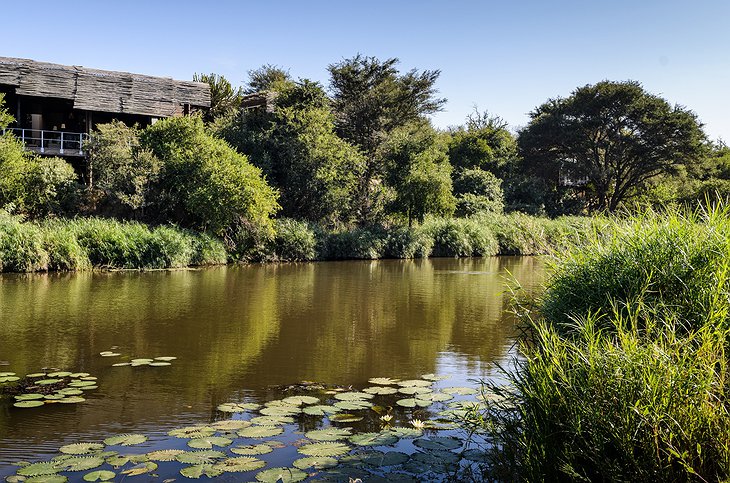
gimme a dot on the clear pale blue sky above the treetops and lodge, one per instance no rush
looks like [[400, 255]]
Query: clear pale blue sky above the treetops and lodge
[[504, 56]]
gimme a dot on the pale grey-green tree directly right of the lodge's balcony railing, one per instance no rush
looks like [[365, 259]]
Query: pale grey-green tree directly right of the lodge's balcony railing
[[124, 174]]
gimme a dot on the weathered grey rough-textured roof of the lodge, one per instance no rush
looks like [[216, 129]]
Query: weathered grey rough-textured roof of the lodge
[[103, 90]]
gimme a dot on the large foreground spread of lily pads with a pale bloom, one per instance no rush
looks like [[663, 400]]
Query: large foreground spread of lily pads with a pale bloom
[[390, 431]]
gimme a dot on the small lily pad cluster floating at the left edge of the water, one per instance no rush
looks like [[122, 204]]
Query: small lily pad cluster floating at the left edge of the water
[[41, 388]]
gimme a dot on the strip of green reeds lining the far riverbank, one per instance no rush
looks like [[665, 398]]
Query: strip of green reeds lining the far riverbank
[[100, 243]]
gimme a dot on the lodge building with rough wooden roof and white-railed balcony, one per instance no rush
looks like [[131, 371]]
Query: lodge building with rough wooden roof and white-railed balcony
[[56, 106]]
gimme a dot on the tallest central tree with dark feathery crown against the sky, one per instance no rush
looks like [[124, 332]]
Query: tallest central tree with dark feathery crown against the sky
[[371, 99]]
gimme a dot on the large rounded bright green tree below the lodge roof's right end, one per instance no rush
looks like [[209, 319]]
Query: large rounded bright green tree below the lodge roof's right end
[[205, 183]]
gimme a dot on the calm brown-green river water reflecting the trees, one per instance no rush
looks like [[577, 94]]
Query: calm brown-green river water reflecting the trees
[[239, 330]]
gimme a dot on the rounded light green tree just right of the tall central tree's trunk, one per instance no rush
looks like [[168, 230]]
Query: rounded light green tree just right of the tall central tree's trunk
[[419, 173]]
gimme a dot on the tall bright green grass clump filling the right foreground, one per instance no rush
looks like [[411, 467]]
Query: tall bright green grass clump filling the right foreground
[[624, 375]]
